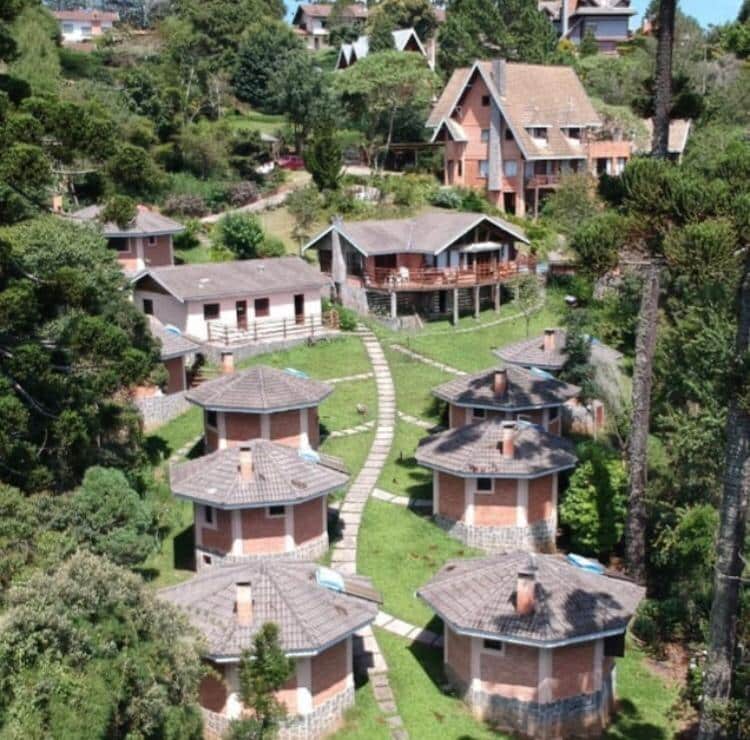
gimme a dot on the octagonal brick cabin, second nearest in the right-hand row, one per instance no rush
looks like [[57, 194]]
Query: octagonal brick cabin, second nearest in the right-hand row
[[495, 483]]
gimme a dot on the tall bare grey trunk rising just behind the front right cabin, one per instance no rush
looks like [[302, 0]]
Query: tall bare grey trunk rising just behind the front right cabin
[[645, 344]]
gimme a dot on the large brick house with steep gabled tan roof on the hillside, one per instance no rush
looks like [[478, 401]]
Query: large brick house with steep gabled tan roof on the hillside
[[513, 131]]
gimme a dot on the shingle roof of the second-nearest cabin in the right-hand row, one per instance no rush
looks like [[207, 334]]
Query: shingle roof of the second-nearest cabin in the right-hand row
[[475, 450]]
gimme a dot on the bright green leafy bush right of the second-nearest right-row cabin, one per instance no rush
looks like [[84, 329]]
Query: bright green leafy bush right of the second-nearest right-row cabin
[[594, 504]]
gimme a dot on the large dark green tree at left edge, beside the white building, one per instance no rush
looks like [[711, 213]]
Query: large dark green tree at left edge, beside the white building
[[71, 341]]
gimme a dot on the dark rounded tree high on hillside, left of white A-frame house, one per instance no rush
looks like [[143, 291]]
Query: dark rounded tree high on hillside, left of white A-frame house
[[258, 56]]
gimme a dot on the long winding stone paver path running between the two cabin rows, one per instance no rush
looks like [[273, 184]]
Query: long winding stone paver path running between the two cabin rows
[[367, 655]]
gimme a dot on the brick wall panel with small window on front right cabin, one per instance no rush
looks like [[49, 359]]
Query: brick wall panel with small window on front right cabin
[[513, 674]]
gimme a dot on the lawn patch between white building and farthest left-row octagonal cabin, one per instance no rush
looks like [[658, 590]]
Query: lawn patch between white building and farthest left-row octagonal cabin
[[329, 358]]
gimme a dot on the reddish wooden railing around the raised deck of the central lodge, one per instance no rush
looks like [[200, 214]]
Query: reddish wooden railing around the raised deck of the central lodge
[[445, 277]]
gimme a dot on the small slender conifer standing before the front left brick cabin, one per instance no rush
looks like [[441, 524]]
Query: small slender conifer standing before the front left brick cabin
[[263, 671]]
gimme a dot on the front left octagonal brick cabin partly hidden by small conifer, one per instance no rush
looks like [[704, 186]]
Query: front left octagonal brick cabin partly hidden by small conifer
[[228, 606]]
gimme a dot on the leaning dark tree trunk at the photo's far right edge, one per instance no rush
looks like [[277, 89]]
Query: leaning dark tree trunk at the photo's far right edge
[[717, 683]]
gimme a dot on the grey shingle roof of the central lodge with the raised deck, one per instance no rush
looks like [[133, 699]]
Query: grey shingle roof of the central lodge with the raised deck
[[427, 233]]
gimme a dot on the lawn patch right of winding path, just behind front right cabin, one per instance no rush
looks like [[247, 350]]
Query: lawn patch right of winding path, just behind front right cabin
[[401, 551]]
